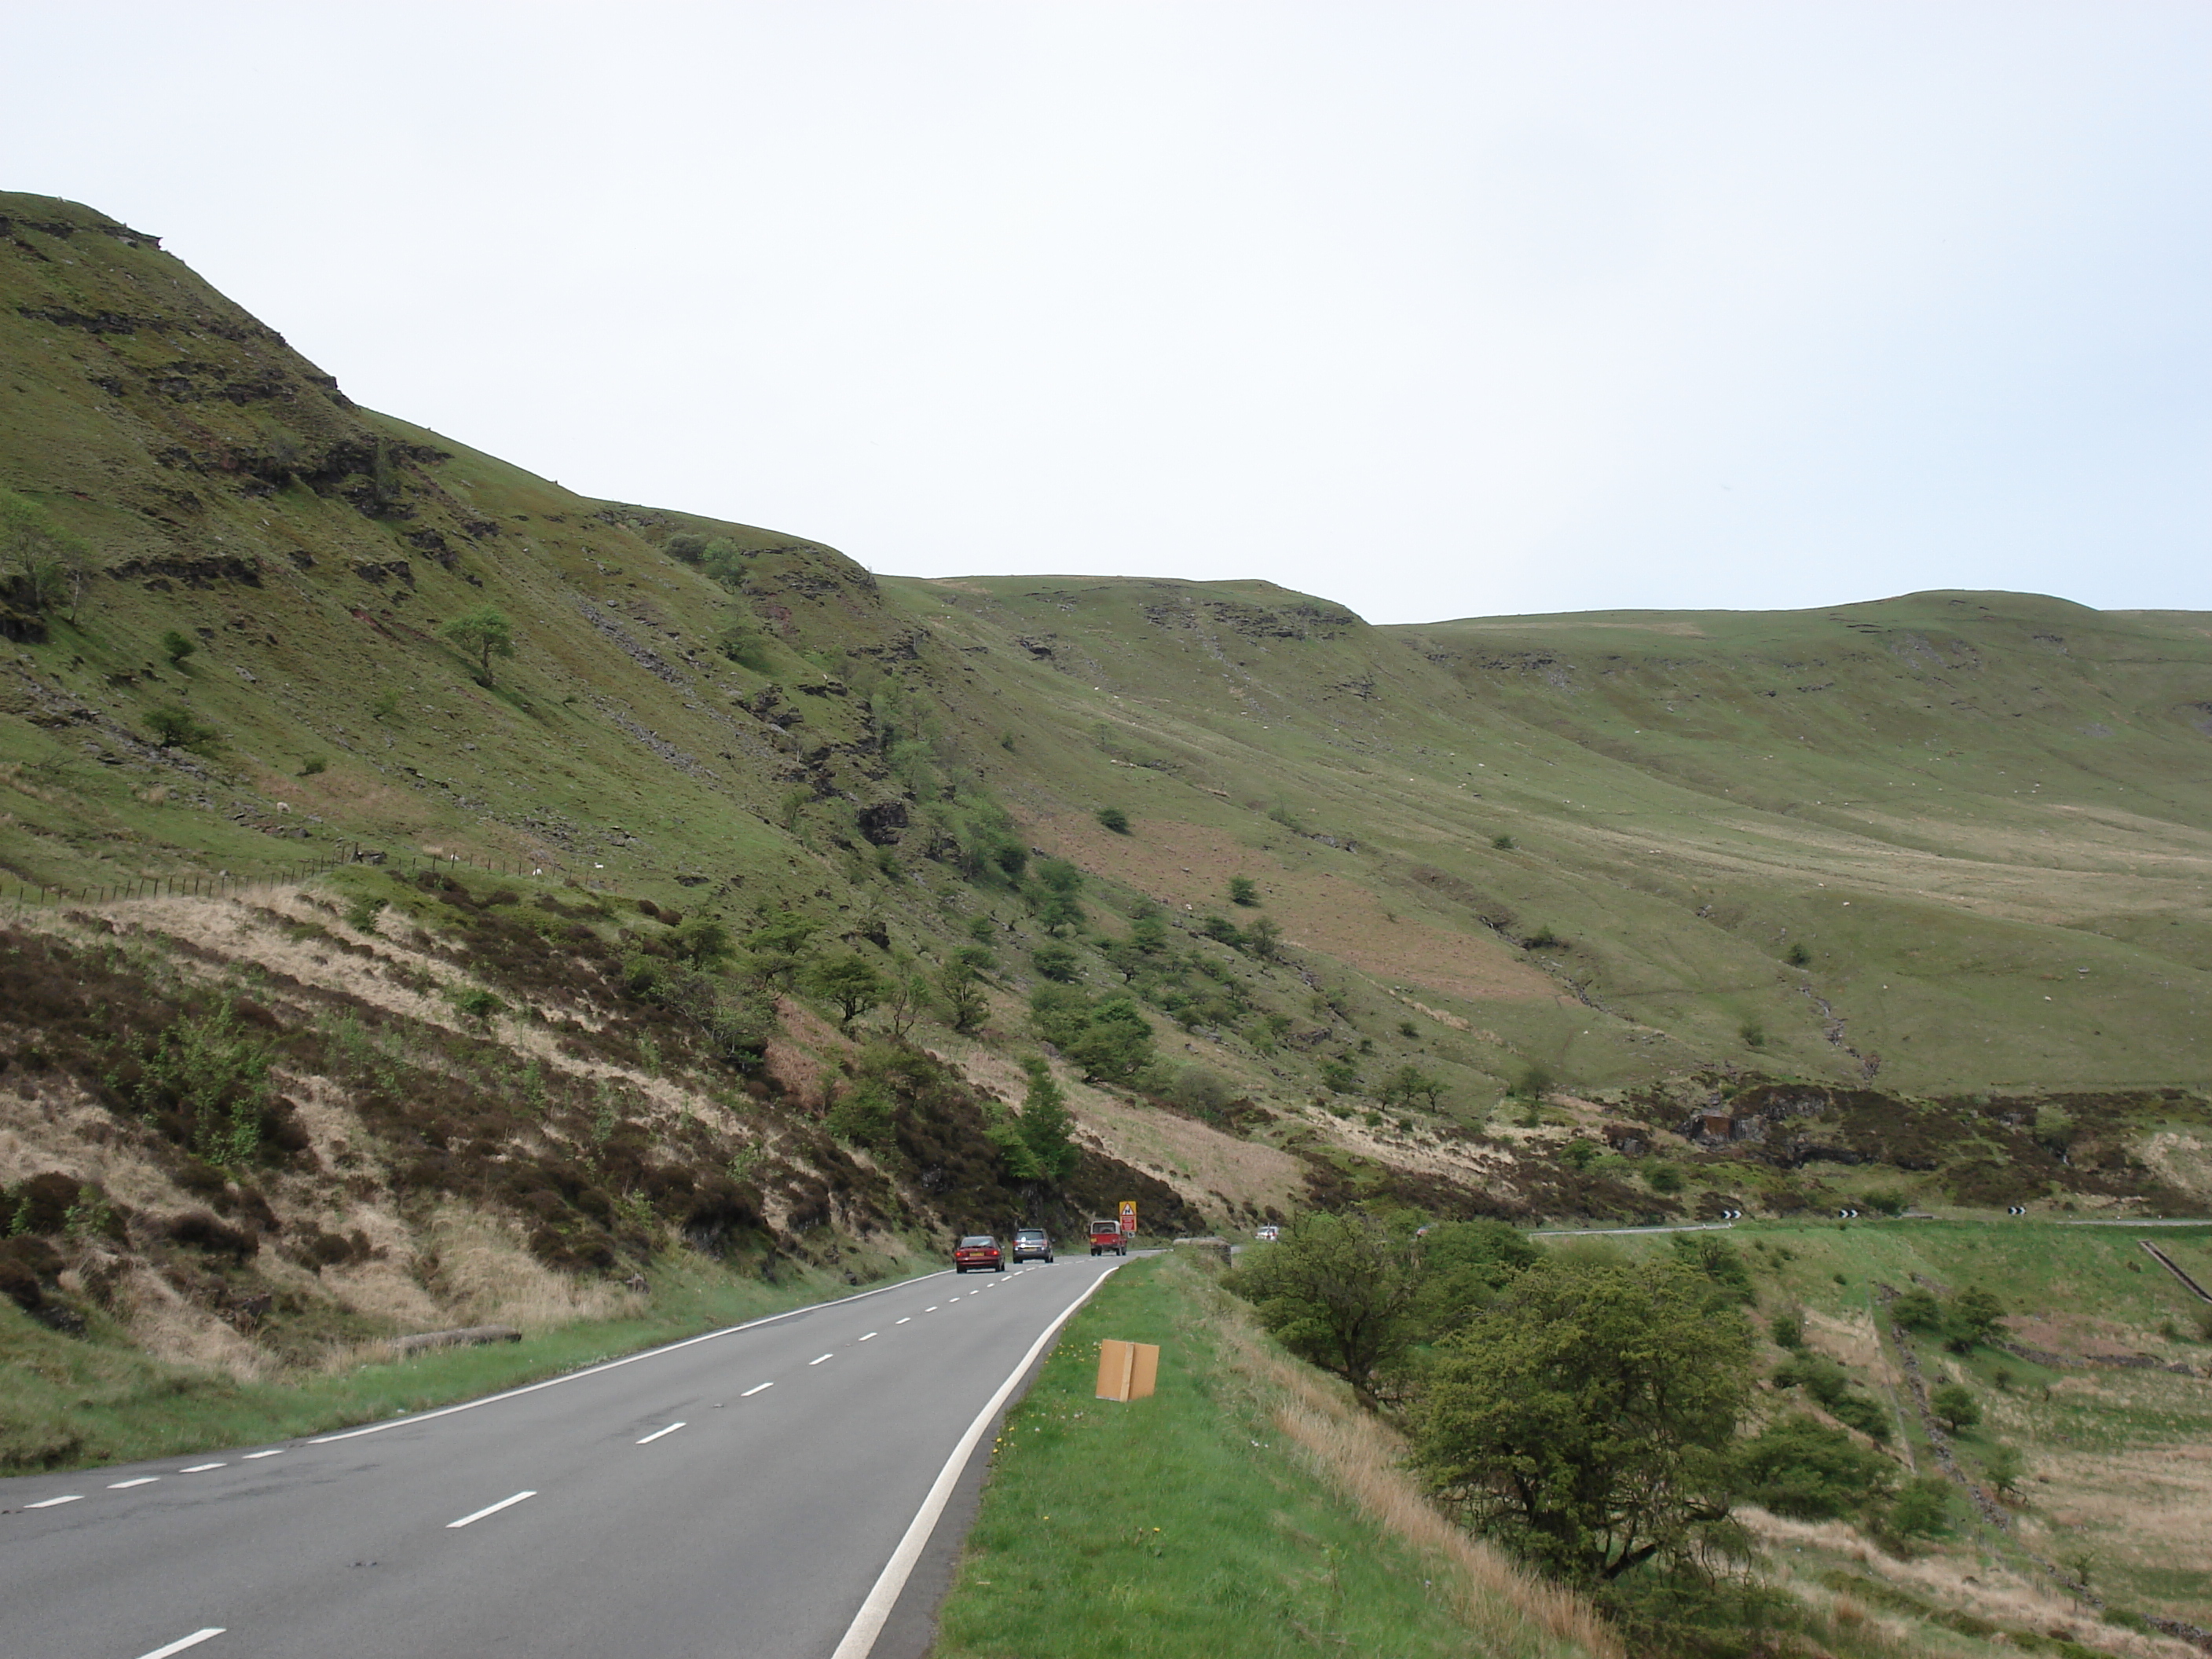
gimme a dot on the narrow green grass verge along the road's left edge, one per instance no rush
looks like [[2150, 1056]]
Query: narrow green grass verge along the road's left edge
[[79, 1404]]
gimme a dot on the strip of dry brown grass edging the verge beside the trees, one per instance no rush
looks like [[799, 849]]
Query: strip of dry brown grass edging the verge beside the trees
[[1366, 1461]]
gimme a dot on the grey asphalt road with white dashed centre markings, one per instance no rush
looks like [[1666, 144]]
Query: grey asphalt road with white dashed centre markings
[[733, 1496]]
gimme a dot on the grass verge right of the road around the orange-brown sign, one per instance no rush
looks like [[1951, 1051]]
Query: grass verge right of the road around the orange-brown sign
[[1246, 1507]]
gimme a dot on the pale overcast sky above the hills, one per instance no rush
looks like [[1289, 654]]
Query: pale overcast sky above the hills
[[1430, 309]]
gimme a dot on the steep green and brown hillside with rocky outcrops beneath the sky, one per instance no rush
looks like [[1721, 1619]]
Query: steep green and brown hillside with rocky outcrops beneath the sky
[[1286, 901]]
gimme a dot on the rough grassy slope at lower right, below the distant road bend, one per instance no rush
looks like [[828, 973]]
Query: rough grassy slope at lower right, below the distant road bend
[[2116, 1490]]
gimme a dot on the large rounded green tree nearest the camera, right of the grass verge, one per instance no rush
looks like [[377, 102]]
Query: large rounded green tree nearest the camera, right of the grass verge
[[1587, 1419]]
